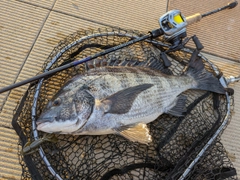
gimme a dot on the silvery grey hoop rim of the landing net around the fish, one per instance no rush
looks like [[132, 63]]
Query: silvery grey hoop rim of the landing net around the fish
[[114, 33]]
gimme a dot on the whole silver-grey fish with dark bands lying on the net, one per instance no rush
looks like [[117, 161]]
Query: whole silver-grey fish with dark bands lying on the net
[[122, 100]]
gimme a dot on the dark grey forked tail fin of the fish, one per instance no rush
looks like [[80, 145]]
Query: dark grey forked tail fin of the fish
[[204, 79]]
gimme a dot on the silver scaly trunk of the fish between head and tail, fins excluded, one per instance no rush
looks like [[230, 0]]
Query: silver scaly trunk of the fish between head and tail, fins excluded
[[146, 107]]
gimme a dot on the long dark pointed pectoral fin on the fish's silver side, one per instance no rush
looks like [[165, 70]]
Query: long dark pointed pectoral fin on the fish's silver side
[[122, 101]]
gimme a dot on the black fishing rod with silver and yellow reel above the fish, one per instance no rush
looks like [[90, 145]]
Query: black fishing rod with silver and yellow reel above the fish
[[172, 26]]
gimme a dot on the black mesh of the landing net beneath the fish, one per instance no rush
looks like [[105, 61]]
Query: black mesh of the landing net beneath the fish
[[177, 142]]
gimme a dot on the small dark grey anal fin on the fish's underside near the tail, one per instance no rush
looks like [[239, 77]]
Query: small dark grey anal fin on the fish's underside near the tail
[[178, 107]]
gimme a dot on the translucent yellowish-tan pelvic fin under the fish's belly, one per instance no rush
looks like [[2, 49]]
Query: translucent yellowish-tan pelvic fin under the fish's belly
[[137, 132]]
